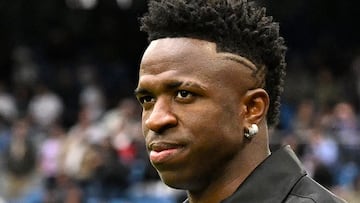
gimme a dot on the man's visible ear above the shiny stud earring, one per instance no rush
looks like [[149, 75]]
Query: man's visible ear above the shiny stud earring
[[256, 103]]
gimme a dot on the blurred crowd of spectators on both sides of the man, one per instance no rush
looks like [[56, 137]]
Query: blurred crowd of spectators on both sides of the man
[[66, 143]]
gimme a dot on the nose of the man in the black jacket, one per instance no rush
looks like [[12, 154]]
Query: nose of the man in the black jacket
[[161, 117]]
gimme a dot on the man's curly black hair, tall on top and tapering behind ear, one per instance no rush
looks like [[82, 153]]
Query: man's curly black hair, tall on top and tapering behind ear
[[236, 26]]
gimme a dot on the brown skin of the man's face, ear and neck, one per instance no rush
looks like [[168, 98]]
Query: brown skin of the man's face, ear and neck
[[197, 103]]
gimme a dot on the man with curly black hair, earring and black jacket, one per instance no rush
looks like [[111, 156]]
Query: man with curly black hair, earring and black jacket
[[210, 84]]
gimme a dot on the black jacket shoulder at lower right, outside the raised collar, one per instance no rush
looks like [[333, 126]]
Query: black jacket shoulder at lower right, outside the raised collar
[[307, 190]]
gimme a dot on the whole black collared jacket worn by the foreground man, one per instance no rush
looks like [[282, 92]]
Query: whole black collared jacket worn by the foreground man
[[281, 179]]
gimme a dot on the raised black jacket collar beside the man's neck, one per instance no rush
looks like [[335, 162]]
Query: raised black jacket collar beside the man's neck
[[272, 180]]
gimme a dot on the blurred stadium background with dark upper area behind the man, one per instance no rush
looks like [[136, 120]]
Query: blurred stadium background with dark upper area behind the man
[[70, 126]]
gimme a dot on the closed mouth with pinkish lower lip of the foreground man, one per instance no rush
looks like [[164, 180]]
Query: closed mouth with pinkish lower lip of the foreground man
[[160, 152]]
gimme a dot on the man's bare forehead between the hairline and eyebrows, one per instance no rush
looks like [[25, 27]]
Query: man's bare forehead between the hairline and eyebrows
[[193, 58]]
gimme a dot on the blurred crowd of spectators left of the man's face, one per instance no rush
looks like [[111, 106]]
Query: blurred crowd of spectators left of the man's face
[[68, 144]]
